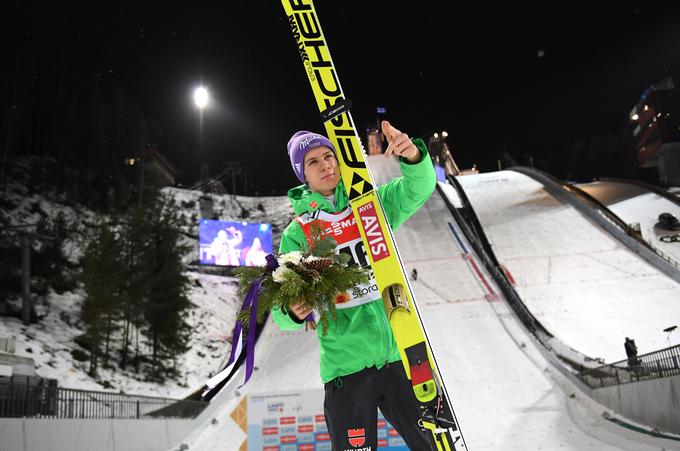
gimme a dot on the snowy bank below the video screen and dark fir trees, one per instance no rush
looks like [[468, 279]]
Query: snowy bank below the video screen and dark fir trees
[[50, 342]]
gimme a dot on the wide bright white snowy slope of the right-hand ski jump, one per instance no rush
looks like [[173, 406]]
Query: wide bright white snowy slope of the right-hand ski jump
[[585, 287]]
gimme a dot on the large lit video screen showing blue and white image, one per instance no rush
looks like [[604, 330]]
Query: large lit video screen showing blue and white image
[[226, 243]]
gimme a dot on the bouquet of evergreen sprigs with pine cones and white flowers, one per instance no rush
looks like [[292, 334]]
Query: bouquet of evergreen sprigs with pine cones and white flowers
[[315, 277]]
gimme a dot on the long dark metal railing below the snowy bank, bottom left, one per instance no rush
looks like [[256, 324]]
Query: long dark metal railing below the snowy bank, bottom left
[[37, 397]]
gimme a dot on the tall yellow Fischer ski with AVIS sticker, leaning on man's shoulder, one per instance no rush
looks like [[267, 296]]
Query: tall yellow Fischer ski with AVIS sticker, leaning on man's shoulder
[[437, 415]]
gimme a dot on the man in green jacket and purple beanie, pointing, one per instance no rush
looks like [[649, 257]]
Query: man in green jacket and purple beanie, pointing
[[359, 360]]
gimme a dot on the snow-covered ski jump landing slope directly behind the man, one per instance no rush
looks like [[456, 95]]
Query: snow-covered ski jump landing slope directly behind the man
[[504, 391]]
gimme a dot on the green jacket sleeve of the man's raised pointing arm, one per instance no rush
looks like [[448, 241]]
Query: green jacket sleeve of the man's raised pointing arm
[[403, 196]]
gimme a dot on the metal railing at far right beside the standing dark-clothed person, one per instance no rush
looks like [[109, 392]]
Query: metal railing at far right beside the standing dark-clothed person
[[654, 365]]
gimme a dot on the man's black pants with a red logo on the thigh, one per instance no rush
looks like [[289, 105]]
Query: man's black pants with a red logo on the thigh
[[352, 402]]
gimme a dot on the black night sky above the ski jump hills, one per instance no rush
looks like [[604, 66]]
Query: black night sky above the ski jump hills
[[522, 80]]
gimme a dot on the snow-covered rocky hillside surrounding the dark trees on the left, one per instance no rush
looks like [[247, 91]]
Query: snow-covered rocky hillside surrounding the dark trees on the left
[[215, 304]]
